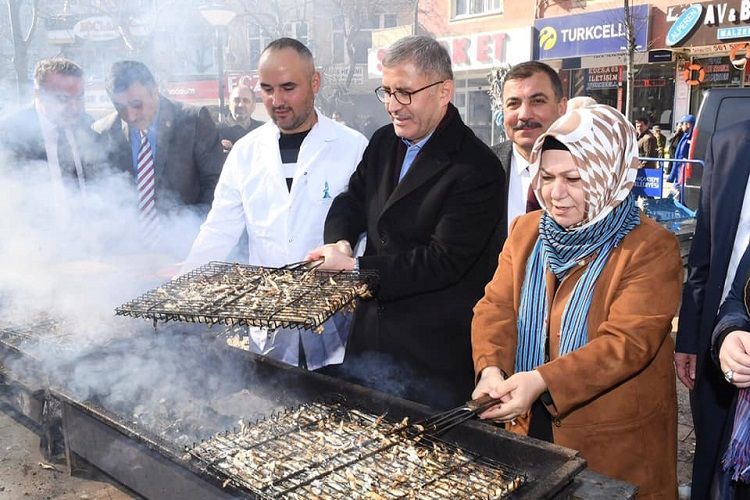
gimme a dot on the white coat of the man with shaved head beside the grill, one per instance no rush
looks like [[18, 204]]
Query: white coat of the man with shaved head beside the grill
[[282, 226]]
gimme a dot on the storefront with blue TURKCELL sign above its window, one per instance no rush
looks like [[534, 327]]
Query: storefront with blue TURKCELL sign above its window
[[590, 52]]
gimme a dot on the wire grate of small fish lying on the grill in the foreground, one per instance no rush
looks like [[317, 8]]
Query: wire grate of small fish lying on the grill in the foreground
[[332, 451]]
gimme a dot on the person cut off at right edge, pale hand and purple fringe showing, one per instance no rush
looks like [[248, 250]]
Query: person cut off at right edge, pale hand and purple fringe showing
[[731, 350]]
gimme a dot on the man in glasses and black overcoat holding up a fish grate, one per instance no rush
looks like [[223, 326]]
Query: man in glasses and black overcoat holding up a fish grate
[[429, 196]]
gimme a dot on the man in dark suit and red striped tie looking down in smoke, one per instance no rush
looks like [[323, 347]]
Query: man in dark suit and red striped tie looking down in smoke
[[181, 141]]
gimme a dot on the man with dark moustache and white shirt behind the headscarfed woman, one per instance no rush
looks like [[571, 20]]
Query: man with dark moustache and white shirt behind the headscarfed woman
[[532, 99]]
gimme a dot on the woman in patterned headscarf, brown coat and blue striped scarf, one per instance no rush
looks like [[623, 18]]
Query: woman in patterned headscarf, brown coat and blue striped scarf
[[573, 333]]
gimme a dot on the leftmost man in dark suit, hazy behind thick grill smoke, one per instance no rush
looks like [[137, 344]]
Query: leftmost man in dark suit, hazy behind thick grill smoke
[[52, 136]]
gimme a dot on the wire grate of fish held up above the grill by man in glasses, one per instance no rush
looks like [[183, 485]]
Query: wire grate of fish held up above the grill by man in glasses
[[236, 294]]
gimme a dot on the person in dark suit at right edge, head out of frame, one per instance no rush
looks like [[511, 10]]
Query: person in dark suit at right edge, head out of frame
[[721, 237]]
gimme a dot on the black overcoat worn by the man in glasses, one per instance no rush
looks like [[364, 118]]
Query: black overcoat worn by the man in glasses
[[434, 240]]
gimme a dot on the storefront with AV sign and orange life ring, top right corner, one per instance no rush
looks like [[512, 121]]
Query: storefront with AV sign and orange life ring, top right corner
[[710, 41]]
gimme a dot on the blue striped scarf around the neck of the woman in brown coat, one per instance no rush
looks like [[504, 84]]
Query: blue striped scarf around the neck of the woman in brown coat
[[561, 250]]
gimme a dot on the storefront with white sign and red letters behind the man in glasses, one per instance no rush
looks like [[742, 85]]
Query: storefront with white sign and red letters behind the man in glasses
[[473, 56]]
